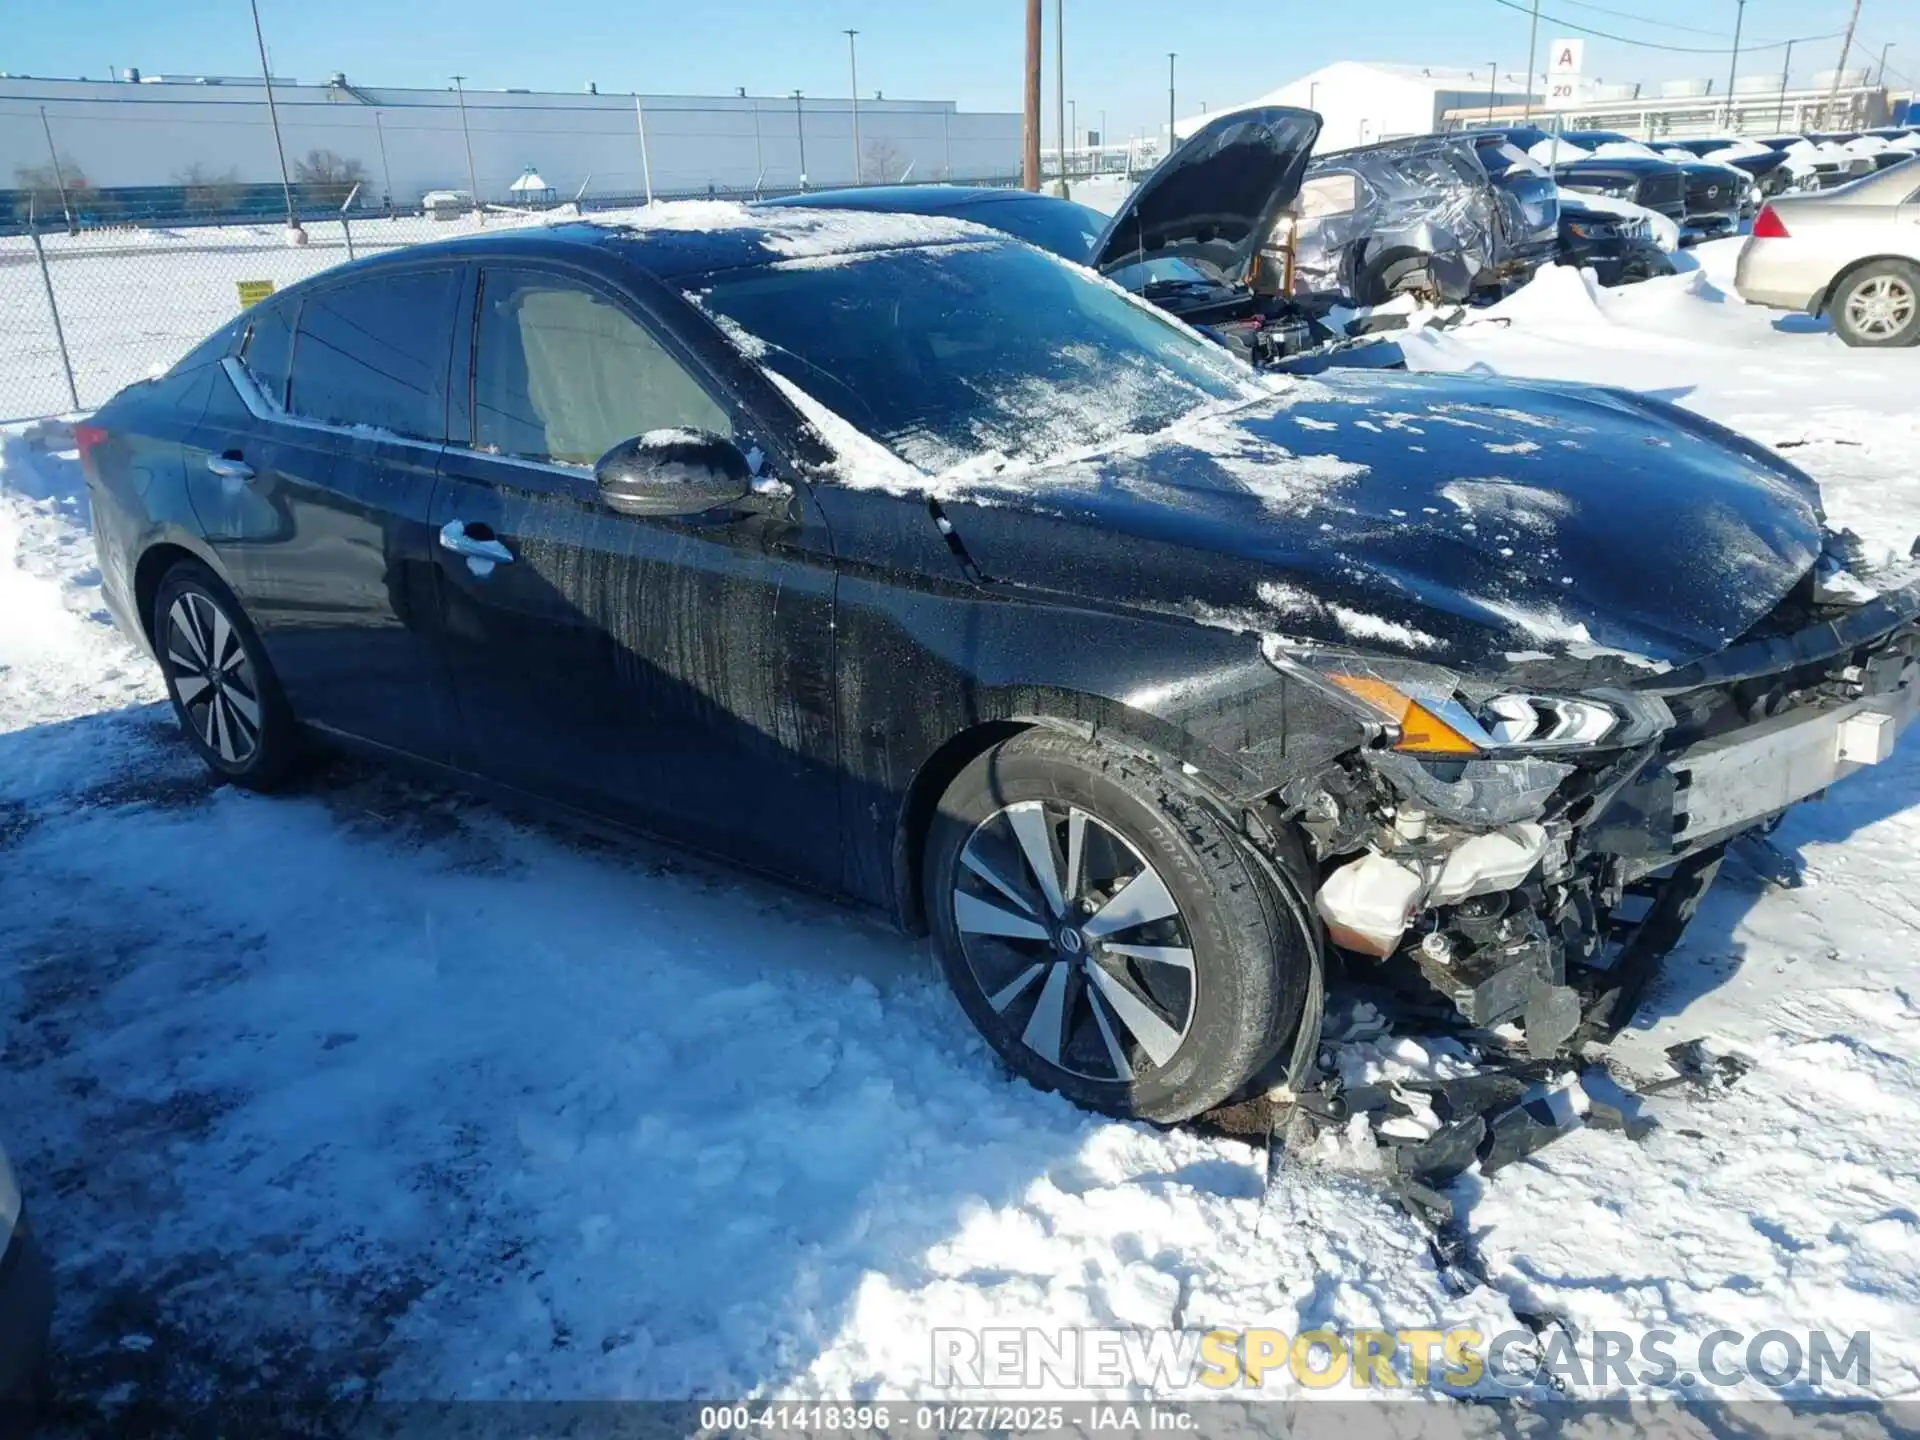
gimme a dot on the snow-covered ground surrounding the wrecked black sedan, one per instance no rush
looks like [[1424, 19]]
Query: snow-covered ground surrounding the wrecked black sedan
[[381, 1092]]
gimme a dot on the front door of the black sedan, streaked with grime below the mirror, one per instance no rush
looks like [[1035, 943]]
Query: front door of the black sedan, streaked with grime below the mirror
[[665, 673]]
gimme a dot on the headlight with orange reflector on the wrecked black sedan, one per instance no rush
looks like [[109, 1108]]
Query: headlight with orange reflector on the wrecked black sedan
[[1437, 713]]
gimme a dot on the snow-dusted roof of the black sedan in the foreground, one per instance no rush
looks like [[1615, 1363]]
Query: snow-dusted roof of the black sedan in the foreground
[[684, 239]]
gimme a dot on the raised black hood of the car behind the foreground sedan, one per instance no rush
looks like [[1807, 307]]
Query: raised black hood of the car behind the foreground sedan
[[1216, 199]]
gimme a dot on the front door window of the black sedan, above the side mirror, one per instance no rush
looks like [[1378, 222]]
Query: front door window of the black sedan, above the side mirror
[[565, 373]]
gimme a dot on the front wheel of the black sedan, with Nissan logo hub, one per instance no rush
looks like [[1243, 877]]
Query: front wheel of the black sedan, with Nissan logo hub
[[1107, 932]]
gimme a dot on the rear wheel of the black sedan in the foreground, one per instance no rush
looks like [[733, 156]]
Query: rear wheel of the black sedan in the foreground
[[224, 690]]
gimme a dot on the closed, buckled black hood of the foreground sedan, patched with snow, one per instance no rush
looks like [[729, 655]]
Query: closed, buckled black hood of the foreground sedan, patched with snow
[[1454, 519]]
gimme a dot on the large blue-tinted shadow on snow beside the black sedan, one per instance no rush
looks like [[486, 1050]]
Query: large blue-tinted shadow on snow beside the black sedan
[[381, 1092]]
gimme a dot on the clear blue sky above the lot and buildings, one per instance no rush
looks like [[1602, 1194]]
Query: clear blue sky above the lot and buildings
[[969, 51]]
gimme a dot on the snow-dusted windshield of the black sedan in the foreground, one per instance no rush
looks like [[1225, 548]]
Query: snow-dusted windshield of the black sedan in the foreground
[[949, 354]]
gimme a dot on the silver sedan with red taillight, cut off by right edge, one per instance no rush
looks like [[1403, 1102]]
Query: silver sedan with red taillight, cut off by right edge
[[1852, 254]]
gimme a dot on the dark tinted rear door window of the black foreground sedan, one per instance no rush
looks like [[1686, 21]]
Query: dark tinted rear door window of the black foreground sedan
[[375, 352]]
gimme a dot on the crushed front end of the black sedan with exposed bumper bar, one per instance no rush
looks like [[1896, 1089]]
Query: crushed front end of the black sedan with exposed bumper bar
[[1533, 848]]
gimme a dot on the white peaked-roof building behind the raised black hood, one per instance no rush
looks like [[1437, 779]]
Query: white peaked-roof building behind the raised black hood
[[1362, 103]]
